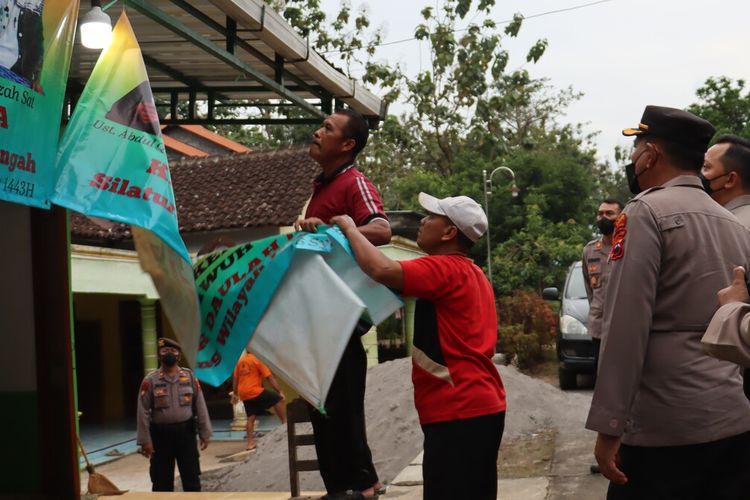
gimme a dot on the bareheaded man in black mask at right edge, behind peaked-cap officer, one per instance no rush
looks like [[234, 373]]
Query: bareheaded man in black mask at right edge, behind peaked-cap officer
[[726, 177]]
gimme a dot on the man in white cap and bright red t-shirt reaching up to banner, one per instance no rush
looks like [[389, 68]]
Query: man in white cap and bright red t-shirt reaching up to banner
[[458, 393]]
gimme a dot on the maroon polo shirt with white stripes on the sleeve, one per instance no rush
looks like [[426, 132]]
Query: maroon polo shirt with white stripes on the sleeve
[[346, 192]]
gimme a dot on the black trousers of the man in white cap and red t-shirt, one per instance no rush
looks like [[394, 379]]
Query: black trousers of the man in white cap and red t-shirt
[[460, 458]]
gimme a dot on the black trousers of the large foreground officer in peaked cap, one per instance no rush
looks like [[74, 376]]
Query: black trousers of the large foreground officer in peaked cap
[[719, 470]]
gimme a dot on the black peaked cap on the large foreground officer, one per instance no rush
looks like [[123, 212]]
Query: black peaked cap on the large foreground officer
[[674, 125]]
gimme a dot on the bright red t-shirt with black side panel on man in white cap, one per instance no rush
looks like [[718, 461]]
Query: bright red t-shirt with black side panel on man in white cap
[[455, 331]]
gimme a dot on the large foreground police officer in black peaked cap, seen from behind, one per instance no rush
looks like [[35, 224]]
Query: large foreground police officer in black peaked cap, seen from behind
[[672, 422]]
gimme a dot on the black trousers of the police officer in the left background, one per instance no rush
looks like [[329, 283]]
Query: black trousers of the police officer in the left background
[[174, 442]]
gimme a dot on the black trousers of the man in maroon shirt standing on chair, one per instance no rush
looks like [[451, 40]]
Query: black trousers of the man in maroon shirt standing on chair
[[344, 456]]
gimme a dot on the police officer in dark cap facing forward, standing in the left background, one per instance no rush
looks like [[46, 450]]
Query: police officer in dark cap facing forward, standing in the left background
[[170, 406]]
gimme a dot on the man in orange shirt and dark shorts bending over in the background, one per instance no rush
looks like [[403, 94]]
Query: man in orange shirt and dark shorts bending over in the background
[[247, 386]]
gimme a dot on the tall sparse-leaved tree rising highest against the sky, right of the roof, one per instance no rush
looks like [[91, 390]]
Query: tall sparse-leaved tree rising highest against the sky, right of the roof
[[465, 62]]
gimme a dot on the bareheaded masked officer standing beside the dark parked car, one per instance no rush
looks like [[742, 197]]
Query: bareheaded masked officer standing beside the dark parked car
[[596, 268]]
